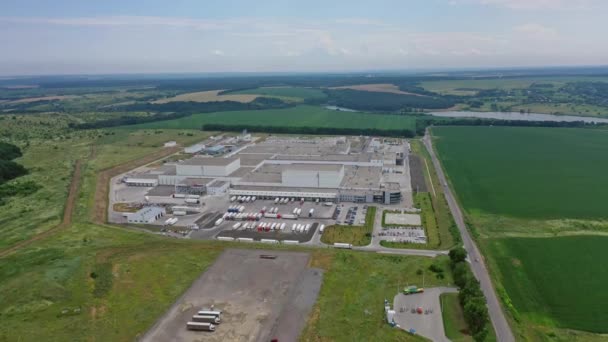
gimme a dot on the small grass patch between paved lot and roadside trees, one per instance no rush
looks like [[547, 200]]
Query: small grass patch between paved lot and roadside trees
[[456, 328]]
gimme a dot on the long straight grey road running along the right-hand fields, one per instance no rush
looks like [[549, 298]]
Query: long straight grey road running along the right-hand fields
[[499, 321]]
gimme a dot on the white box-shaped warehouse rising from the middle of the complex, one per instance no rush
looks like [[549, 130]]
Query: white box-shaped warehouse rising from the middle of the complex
[[313, 175]]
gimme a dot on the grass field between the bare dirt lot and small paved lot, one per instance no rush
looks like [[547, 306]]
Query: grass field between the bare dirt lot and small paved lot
[[350, 304]]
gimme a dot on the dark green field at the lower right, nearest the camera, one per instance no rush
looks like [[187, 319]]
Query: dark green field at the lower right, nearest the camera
[[556, 281]]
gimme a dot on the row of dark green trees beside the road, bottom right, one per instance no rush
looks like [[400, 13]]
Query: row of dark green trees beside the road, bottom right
[[470, 296]]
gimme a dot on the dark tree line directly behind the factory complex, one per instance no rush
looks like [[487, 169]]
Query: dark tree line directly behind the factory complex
[[402, 133]]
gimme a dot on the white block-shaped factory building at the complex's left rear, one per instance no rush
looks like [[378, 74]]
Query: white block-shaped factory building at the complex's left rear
[[208, 167]]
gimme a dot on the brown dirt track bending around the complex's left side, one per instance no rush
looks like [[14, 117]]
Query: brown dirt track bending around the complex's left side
[[102, 187]]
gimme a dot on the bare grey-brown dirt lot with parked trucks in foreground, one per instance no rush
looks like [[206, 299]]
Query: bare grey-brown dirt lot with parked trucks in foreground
[[260, 299]]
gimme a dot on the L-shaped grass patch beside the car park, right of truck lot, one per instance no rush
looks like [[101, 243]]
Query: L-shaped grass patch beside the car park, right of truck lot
[[355, 235]]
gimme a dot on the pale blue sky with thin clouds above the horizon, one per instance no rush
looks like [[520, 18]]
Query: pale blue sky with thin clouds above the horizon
[[155, 36]]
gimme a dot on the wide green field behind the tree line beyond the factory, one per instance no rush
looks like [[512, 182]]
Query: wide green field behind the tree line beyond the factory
[[300, 116]]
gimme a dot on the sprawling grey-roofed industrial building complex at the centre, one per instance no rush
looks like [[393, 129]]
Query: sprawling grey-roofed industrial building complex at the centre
[[347, 169]]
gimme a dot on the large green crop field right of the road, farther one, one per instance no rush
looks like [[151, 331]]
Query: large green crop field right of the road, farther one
[[539, 173]]
